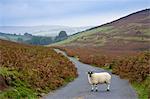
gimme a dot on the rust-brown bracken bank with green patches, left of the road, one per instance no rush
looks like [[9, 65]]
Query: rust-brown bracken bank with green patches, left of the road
[[29, 71]]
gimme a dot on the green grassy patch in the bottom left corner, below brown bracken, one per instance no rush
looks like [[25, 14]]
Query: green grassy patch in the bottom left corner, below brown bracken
[[17, 89]]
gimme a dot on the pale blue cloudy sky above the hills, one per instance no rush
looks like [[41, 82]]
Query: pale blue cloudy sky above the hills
[[66, 12]]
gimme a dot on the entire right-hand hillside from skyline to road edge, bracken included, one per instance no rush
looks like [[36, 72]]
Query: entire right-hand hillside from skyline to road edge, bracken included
[[121, 46]]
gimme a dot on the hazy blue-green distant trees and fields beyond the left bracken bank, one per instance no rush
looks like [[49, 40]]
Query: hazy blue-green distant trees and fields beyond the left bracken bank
[[34, 40]]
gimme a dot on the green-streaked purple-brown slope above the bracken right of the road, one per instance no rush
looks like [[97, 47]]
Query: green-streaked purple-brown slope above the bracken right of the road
[[128, 34]]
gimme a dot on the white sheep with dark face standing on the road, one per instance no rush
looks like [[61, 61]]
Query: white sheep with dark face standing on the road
[[99, 78]]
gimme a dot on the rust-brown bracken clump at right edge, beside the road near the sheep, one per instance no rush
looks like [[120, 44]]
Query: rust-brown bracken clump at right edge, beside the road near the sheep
[[135, 68]]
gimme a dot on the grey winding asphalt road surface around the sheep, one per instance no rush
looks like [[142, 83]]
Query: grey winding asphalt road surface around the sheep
[[80, 88]]
